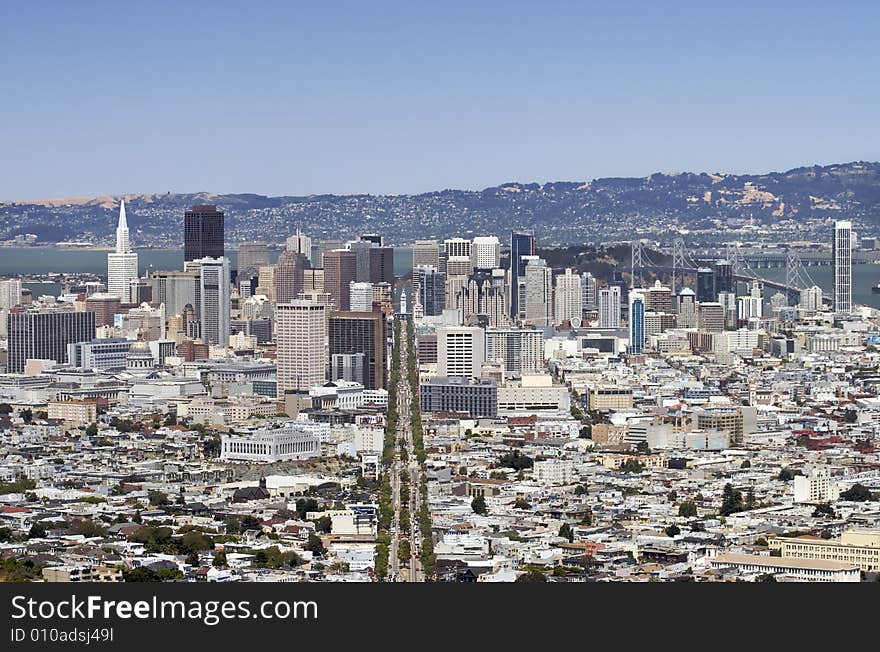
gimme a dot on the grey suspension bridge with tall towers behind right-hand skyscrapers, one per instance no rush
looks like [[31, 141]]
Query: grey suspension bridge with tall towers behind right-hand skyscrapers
[[797, 277]]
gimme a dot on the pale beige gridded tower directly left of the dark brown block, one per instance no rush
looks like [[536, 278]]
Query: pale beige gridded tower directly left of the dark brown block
[[301, 334]]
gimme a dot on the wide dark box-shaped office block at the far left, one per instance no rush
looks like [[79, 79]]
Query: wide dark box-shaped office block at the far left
[[45, 334]]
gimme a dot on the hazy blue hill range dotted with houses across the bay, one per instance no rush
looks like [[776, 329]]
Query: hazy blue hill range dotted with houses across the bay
[[801, 200]]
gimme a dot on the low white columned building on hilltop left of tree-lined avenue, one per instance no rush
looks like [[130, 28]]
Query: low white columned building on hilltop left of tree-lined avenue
[[289, 442]]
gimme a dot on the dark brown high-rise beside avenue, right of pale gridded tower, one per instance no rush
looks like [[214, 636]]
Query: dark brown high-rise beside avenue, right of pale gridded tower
[[360, 332]]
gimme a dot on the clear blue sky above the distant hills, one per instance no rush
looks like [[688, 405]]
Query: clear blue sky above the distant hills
[[404, 97]]
